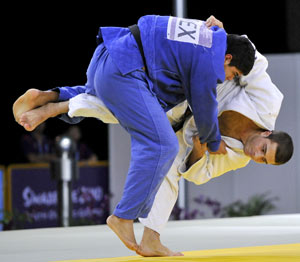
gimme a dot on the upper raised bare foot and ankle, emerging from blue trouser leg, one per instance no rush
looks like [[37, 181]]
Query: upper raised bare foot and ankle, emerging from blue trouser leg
[[32, 98]]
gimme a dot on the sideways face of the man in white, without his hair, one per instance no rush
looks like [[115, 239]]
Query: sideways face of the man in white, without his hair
[[260, 148]]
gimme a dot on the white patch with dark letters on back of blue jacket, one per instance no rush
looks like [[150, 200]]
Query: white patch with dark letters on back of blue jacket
[[189, 31]]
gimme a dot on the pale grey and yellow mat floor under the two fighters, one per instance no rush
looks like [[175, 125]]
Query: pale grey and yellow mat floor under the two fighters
[[195, 238]]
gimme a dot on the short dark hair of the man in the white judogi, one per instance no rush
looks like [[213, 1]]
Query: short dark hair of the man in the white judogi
[[285, 146]]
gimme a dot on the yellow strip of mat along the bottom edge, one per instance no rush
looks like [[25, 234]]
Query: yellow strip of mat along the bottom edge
[[273, 253]]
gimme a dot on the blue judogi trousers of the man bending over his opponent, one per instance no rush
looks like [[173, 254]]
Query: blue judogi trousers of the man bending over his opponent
[[154, 144]]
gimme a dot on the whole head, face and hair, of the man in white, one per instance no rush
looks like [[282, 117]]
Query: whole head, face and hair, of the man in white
[[269, 147]]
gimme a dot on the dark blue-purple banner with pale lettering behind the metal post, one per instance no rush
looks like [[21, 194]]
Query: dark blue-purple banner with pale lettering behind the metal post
[[34, 198]]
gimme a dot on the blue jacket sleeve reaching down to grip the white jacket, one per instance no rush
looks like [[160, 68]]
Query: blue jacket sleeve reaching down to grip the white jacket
[[206, 71]]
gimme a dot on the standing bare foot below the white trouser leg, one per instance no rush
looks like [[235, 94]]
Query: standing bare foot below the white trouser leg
[[152, 247]]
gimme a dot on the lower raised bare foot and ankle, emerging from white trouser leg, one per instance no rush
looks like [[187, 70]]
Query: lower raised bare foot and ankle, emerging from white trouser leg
[[32, 118]]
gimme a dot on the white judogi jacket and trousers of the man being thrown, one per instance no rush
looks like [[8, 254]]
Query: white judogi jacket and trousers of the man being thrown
[[255, 96]]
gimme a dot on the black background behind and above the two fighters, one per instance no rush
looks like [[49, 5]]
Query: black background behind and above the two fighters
[[50, 44]]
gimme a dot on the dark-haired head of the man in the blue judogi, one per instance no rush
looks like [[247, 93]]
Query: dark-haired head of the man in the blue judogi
[[239, 57]]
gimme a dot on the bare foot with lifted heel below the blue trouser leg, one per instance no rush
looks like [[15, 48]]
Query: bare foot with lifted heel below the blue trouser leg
[[124, 230]]
